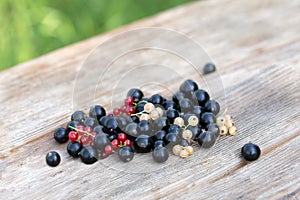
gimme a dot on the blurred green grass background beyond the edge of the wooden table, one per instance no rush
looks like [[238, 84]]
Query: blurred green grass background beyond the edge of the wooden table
[[30, 28]]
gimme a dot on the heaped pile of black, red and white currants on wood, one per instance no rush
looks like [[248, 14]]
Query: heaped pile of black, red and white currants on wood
[[153, 125]]
